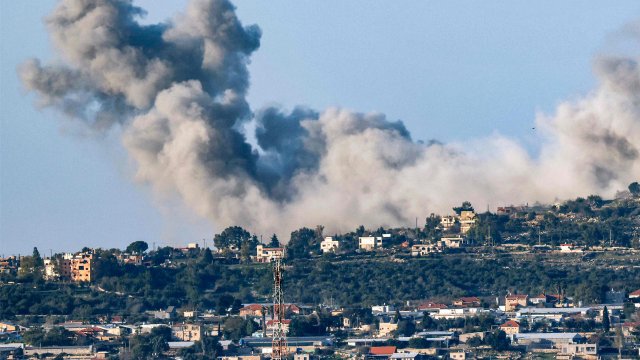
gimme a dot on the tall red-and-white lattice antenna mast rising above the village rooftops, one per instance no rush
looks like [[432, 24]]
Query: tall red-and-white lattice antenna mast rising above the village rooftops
[[279, 340]]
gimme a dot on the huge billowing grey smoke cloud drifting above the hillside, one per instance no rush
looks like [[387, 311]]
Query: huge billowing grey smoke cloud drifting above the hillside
[[176, 92]]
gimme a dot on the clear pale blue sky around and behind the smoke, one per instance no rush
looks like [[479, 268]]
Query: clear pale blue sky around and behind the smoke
[[450, 70]]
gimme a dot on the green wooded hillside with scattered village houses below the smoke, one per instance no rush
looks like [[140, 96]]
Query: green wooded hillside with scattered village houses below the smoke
[[545, 281]]
